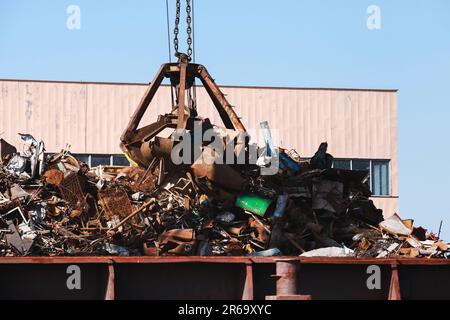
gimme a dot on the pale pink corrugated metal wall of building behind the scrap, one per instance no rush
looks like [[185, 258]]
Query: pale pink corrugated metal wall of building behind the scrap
[[91, 117]]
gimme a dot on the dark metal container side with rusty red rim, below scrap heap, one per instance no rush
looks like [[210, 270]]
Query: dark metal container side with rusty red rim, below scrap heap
[[246, 278]]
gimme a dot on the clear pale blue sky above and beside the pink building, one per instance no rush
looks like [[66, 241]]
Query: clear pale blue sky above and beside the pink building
[[322, 43]]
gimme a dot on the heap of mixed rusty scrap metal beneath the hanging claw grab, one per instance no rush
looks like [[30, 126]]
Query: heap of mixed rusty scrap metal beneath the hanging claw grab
[[56, 205]]
